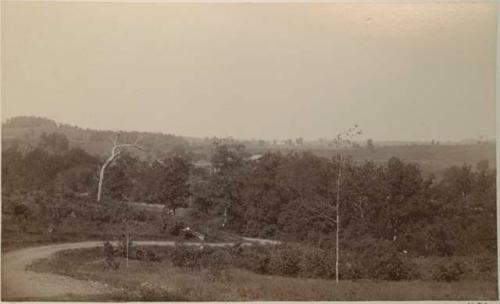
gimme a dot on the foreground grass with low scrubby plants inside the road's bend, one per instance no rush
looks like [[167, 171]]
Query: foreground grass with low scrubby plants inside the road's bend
[[182, 275]]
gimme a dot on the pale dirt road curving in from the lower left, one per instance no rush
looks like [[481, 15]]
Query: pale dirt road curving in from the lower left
[[21, 284]]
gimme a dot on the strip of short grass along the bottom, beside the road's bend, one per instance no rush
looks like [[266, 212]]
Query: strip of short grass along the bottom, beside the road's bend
[[155, 281]]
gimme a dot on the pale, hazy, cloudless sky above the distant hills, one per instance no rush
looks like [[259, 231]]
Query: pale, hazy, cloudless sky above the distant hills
[[400, 71]]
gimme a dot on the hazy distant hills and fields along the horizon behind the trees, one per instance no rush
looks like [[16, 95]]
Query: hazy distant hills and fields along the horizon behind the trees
[[432, 158]]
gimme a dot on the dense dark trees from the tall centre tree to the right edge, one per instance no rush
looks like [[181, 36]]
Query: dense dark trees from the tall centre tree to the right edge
[[292, 197]]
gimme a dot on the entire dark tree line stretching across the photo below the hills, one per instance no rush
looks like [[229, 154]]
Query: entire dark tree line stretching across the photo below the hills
[[286, 196]]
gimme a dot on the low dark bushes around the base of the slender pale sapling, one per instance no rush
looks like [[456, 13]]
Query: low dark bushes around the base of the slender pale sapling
[[379, 261]]
